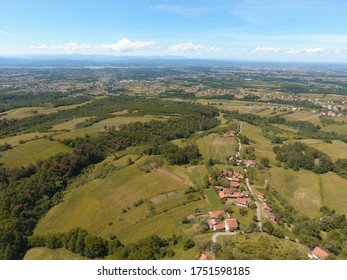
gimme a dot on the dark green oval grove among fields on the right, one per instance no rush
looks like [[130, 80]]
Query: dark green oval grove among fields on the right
[[299, 155]]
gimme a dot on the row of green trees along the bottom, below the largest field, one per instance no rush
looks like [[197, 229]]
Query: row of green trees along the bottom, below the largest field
[[79, 241]]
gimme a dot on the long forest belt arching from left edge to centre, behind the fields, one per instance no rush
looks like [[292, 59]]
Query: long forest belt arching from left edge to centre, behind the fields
[[103, 108]]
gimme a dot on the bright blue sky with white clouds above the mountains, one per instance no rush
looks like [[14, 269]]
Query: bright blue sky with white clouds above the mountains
[[259, 30]]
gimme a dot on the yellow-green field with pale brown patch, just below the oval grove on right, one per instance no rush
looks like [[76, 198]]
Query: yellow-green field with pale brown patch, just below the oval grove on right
[[300, 188]]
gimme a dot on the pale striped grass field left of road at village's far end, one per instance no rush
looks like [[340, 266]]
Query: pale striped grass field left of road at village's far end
[[217, 147]]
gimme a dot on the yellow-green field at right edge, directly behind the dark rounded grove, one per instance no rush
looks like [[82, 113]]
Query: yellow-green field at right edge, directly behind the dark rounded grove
[[337, 149]]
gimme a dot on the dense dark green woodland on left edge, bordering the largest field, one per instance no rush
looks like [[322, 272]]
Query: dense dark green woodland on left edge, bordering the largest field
[[27, 193]]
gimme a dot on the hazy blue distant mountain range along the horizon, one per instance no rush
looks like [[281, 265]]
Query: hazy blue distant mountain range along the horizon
[[76, 60]]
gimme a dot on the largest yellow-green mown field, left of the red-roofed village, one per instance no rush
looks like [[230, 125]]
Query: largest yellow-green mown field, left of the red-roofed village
[[105, 206]]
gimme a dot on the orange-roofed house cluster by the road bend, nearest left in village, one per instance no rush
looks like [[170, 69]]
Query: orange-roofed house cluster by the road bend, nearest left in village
[[219, 220]]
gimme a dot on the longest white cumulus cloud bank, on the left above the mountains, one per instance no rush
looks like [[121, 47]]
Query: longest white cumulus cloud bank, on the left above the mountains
[[121, 46]]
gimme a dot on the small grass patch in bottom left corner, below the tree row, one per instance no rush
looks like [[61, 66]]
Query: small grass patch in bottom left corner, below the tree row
[[43, 253]]
